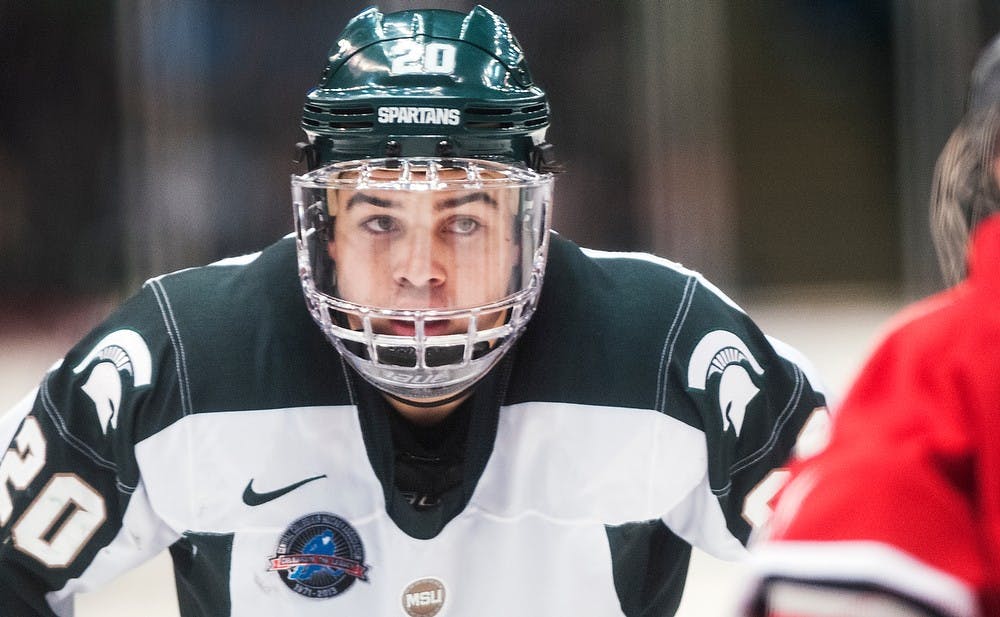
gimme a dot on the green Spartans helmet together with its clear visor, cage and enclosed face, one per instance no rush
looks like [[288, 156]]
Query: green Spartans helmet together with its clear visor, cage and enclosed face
[[422, 226]]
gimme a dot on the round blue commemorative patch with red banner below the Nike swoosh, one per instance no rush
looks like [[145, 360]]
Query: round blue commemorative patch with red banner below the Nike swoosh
[[319, 556]]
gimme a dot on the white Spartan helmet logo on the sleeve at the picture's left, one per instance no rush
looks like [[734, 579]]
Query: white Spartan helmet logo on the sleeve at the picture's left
[[122, 351]]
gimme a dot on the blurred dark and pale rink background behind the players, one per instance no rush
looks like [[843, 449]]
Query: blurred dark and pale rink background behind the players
[[768, 145]]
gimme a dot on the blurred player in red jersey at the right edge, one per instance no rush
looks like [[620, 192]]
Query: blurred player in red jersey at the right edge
[[900, 515]]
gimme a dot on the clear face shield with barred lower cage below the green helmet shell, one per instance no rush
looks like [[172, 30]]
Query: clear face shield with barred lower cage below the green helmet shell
[[422, 271]]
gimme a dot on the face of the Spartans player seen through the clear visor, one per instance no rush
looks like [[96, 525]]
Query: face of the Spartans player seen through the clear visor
[[425, 249]]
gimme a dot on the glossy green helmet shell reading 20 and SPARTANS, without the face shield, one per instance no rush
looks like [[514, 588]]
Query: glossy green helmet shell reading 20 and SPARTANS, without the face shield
[[426, 83]]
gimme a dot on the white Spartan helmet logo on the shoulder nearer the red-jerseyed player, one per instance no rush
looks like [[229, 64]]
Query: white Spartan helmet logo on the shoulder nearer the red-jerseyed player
[[723, 353]]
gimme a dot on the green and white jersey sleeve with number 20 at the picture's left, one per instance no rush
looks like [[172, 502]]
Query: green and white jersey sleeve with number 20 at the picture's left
[[71, 484]]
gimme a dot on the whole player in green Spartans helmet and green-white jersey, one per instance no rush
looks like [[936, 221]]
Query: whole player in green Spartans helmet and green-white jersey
[[469, 444]]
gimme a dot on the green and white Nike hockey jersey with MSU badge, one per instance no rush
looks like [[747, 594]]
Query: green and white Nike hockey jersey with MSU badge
[[634, 418]]
